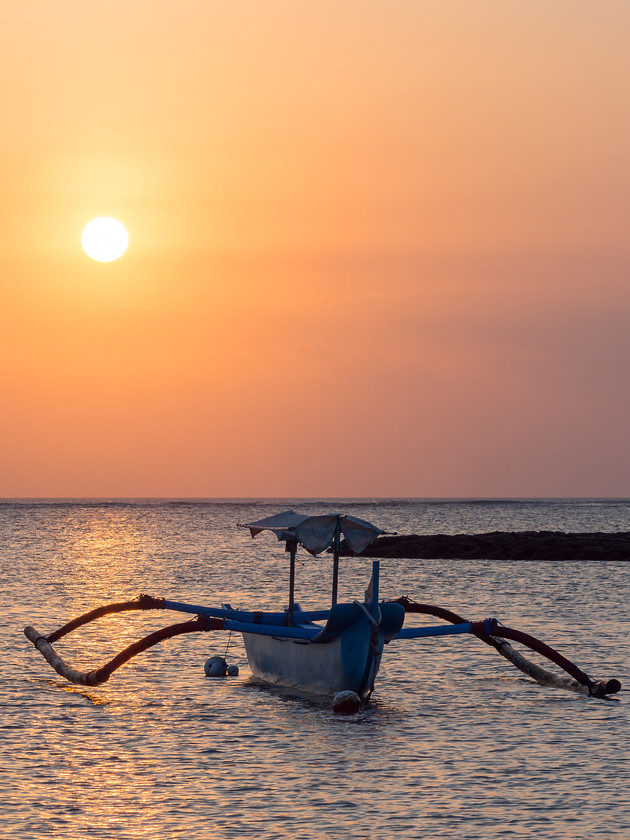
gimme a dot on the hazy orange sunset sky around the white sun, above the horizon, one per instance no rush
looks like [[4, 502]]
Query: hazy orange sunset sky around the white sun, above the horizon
[[376, 249]]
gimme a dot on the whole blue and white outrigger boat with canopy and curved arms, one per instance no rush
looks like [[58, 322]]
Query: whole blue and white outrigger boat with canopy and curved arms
[[333, 652]]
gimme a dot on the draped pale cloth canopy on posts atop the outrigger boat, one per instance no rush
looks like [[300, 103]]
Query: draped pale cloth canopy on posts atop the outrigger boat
[[317, 533]]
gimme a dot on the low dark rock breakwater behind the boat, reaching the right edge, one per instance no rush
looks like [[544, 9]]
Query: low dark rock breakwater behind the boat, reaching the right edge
[[503, 545]]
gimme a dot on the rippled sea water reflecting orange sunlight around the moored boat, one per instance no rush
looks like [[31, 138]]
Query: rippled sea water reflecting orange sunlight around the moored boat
[[456, 743]]
